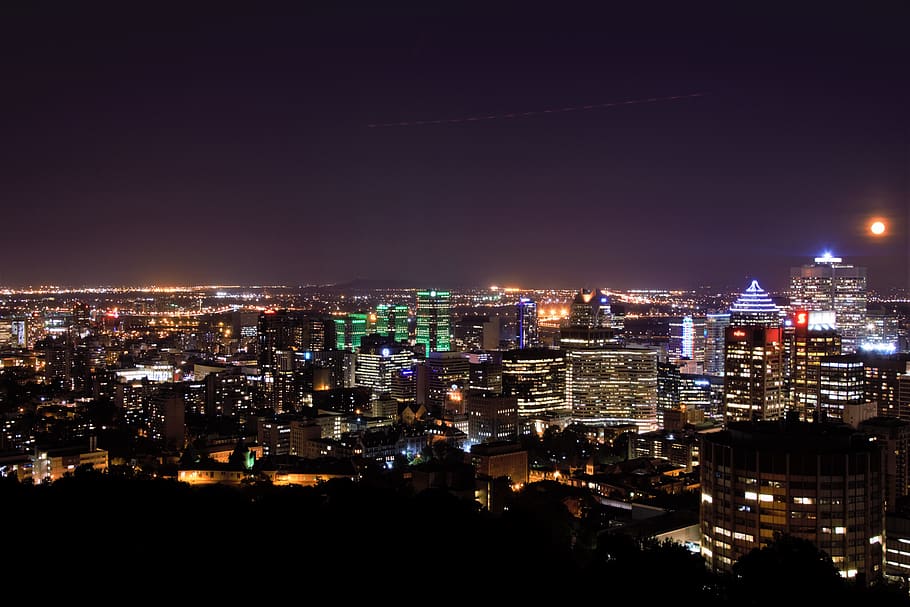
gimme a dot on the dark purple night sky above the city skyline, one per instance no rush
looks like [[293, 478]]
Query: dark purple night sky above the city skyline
[[674, 146]]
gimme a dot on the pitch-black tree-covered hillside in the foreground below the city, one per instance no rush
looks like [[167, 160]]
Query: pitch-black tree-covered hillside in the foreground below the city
[[107, 538]]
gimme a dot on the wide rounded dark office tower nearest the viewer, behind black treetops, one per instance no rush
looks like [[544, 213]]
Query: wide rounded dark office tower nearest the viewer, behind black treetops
[[820, 482]]
